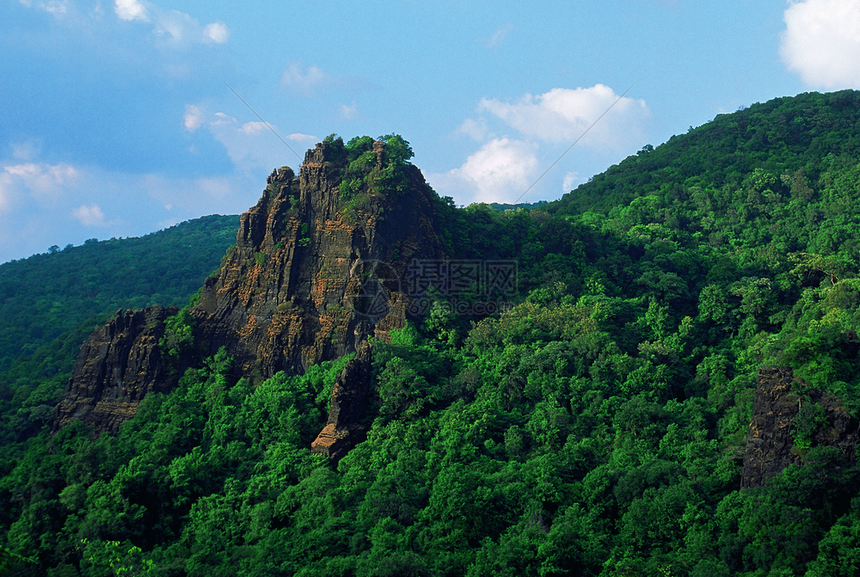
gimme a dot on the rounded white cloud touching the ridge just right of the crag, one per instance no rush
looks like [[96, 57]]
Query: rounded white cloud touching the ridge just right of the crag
[[500, 171]]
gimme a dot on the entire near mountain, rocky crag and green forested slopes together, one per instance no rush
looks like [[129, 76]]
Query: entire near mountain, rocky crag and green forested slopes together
[[656, 374]]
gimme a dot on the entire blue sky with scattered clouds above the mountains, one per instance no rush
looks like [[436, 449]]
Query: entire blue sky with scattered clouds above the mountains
[[117, 116]]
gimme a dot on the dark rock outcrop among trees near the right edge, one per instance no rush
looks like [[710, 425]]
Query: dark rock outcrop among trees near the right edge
[[771, 439]]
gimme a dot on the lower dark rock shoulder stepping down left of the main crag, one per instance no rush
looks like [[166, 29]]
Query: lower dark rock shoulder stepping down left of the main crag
[[118, 365]]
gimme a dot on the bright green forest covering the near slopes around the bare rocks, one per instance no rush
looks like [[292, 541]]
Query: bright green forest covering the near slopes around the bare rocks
[[593, 421]]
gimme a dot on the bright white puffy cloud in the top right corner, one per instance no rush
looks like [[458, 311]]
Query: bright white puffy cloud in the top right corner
[[821, 42]]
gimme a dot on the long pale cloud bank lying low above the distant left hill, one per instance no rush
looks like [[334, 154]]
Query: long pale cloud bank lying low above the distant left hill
[[45, 204]]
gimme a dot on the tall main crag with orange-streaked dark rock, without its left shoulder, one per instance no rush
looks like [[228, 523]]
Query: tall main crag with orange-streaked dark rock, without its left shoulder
[[308, 272]]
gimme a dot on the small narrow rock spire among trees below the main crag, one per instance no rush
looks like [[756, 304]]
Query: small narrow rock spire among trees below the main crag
[[349, 401]]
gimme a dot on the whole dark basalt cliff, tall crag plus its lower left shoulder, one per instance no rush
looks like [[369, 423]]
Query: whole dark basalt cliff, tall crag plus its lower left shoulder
[[314, 272]]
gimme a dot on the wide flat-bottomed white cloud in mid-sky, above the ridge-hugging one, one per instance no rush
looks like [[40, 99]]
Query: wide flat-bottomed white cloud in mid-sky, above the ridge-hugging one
[[563, 115]]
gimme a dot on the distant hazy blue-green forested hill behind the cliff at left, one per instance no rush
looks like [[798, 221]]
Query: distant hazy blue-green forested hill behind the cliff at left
[[50, 302]]
